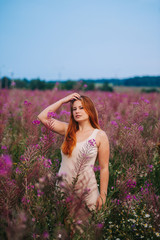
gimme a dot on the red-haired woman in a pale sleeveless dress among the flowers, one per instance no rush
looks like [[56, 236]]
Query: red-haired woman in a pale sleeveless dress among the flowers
[[83, 140]]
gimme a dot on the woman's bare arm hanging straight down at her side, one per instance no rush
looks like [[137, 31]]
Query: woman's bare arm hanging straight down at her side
[[103, 157]]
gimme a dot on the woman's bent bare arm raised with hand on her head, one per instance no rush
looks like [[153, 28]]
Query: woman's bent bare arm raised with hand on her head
[[54, 124]]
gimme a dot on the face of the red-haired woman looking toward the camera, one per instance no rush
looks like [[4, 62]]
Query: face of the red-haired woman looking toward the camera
[[79, 113]]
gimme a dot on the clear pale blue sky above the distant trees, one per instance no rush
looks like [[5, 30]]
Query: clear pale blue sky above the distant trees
[[79, 39]]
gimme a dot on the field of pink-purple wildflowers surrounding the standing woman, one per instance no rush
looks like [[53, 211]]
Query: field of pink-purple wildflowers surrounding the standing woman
[[31, 204]]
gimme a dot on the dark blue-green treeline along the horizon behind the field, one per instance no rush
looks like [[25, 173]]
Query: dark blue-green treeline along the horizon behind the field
[[82, 84]]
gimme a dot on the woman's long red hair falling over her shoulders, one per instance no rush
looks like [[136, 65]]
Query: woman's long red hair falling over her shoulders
[[70, 138]]
